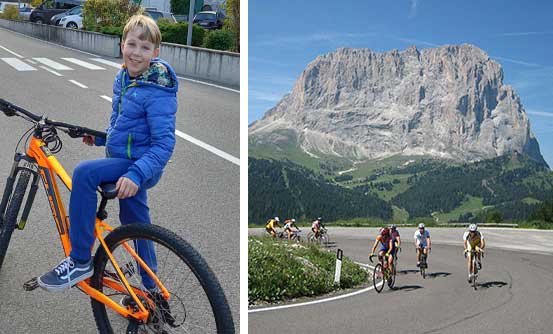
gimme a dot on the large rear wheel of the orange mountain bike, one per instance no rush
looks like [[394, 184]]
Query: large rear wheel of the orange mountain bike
[[197, 303]]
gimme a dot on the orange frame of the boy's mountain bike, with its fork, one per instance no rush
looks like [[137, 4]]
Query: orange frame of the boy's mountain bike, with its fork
[[42, 162]]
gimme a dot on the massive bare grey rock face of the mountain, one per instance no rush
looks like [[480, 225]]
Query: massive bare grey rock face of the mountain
[[447, 102]]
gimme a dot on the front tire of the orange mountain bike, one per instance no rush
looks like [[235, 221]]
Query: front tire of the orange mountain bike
[[9, 221]]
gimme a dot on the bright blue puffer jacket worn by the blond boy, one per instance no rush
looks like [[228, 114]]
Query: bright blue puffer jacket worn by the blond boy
[[142, 124]]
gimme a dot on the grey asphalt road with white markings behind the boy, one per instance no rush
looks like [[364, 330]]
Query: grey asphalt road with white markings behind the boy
[[198, 193]]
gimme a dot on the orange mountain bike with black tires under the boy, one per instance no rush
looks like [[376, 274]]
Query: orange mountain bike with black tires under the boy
[[187, 297]]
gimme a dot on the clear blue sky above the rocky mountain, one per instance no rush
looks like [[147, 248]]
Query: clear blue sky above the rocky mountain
[[284, 36]]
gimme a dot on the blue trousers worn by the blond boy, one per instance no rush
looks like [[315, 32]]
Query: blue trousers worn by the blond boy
[[87, 176]]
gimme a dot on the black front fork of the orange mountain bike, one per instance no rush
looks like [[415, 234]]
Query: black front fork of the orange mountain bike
[[20, 162]]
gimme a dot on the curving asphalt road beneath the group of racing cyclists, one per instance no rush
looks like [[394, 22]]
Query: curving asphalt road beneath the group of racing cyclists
[[514, 293]]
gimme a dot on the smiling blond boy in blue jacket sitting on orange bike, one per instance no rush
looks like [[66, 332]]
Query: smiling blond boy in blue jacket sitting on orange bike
[[140, 141]]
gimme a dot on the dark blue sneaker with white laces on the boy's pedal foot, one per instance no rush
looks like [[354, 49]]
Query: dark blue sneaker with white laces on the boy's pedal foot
[[65, 275]]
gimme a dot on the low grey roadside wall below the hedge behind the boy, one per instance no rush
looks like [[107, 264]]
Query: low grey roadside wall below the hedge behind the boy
[[205, 64]]
